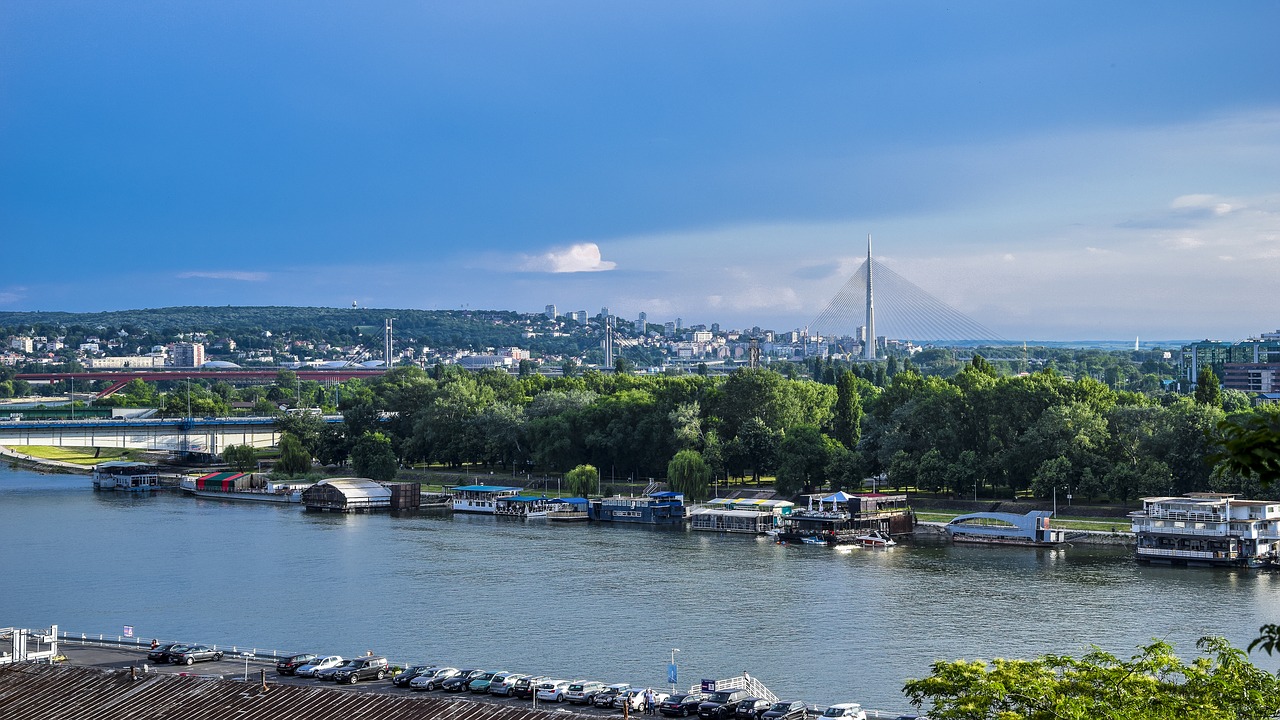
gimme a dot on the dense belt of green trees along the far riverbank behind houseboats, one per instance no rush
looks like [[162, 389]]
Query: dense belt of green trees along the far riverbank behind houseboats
[[977, 432]]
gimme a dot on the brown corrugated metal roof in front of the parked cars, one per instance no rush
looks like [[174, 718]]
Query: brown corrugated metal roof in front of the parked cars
[[52, 692]]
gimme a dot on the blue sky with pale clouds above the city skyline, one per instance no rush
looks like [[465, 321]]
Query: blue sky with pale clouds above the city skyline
[[1057, 171]]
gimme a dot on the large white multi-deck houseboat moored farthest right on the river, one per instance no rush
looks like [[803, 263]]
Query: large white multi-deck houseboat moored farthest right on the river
[[1204, 528]]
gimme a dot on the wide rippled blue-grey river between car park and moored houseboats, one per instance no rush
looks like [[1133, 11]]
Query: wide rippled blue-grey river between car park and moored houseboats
[[605, 603]]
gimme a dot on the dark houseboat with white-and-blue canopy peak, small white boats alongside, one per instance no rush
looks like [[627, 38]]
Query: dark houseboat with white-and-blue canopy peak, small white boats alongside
[[842, 518]]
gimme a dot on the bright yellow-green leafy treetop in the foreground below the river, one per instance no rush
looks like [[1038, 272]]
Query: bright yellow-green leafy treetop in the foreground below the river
[[1154, 685]]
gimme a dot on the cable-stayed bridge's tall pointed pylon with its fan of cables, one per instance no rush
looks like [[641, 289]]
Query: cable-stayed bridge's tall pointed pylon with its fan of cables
[[895, 308]]
